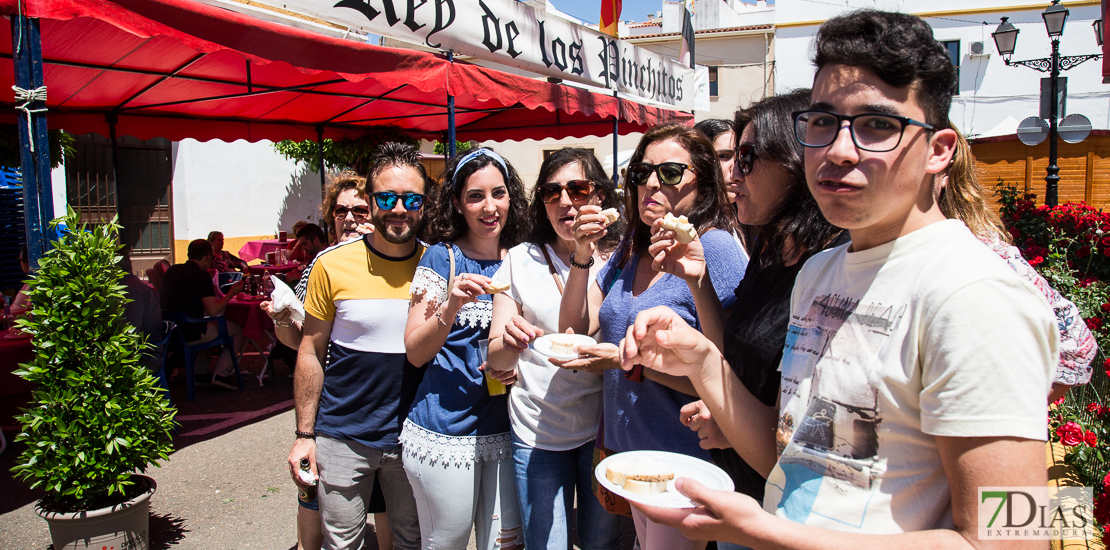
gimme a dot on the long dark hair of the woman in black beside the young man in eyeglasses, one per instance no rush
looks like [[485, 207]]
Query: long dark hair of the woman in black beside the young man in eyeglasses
[[800, 219]]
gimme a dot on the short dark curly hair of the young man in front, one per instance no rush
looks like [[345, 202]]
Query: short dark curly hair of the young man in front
[[899, 48]]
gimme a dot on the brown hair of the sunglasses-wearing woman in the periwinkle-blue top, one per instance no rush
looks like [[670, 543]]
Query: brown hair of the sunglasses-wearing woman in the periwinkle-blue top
[[711, 207]]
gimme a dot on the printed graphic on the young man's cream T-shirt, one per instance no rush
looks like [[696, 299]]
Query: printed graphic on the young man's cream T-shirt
[[835, 445]]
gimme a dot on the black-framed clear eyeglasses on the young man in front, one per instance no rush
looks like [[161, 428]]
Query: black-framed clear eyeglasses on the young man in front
[[871, 132]]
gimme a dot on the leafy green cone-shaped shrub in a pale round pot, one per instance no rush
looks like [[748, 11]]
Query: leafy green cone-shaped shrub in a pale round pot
[[97, 416]]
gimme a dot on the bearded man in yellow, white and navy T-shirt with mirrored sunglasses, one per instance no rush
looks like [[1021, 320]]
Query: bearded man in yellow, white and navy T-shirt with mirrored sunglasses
[[348, 419]]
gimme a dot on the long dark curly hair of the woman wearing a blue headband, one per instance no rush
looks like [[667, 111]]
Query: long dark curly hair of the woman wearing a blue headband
[[446, 224]]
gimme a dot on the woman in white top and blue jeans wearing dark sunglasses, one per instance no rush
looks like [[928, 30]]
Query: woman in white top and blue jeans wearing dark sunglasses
[[554, 413]]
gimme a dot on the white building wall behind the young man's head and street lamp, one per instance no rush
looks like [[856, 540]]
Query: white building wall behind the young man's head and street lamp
[[993, 97]]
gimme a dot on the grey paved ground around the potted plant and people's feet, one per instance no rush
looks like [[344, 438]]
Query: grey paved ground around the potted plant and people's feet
[[226, 487]]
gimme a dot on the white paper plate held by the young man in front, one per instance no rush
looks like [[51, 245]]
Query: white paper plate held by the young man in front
[[683, 466]]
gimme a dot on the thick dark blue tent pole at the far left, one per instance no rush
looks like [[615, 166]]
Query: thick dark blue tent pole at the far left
[[34, 137]]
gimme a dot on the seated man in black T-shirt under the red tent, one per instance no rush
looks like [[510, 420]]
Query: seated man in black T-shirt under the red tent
[[188, 288]]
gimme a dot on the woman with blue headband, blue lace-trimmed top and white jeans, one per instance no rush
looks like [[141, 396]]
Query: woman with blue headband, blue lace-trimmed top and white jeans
[[458, 447]]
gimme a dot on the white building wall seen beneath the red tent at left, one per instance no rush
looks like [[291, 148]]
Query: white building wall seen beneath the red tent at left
[[244, 189]]
